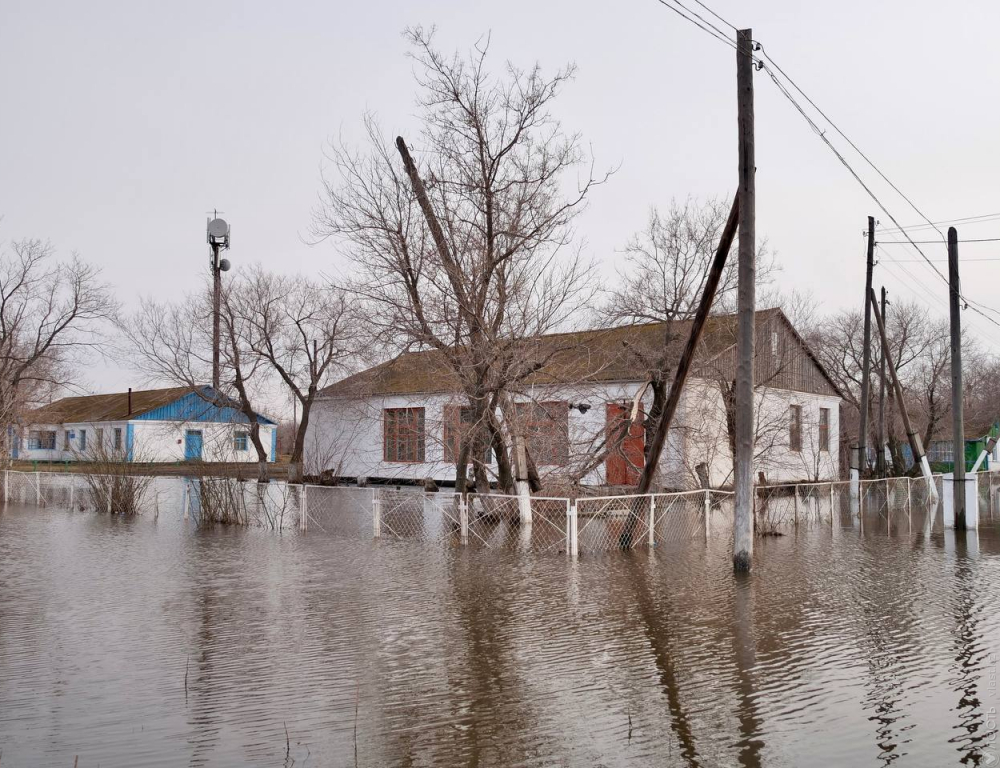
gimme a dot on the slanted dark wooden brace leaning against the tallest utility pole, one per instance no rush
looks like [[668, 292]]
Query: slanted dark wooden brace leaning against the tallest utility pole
[[687, 356]]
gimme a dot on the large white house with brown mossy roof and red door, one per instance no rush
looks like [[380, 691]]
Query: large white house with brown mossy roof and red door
[[401, 420]]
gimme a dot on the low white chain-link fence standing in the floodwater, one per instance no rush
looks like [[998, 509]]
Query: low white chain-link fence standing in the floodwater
[[498, 521]]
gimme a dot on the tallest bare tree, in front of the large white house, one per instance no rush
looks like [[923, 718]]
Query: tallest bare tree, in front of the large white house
[[464, 249]]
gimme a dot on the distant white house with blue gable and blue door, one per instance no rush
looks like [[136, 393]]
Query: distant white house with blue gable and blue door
[[156, 425]]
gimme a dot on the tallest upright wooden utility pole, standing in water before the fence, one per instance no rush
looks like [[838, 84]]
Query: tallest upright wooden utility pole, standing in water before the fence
[[745, 308]]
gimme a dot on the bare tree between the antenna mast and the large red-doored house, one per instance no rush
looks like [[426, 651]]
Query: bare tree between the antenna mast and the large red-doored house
[[302, 330]]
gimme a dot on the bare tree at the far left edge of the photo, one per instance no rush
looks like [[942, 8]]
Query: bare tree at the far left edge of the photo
[[50, 311]]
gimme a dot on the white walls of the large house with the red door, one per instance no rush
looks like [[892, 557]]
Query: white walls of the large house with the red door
[[345, 435]]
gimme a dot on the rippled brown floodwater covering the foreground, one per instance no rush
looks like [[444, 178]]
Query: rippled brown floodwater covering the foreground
[[150, 642]]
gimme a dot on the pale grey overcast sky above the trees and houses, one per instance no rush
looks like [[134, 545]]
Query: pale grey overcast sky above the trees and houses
[[123, 124]]
